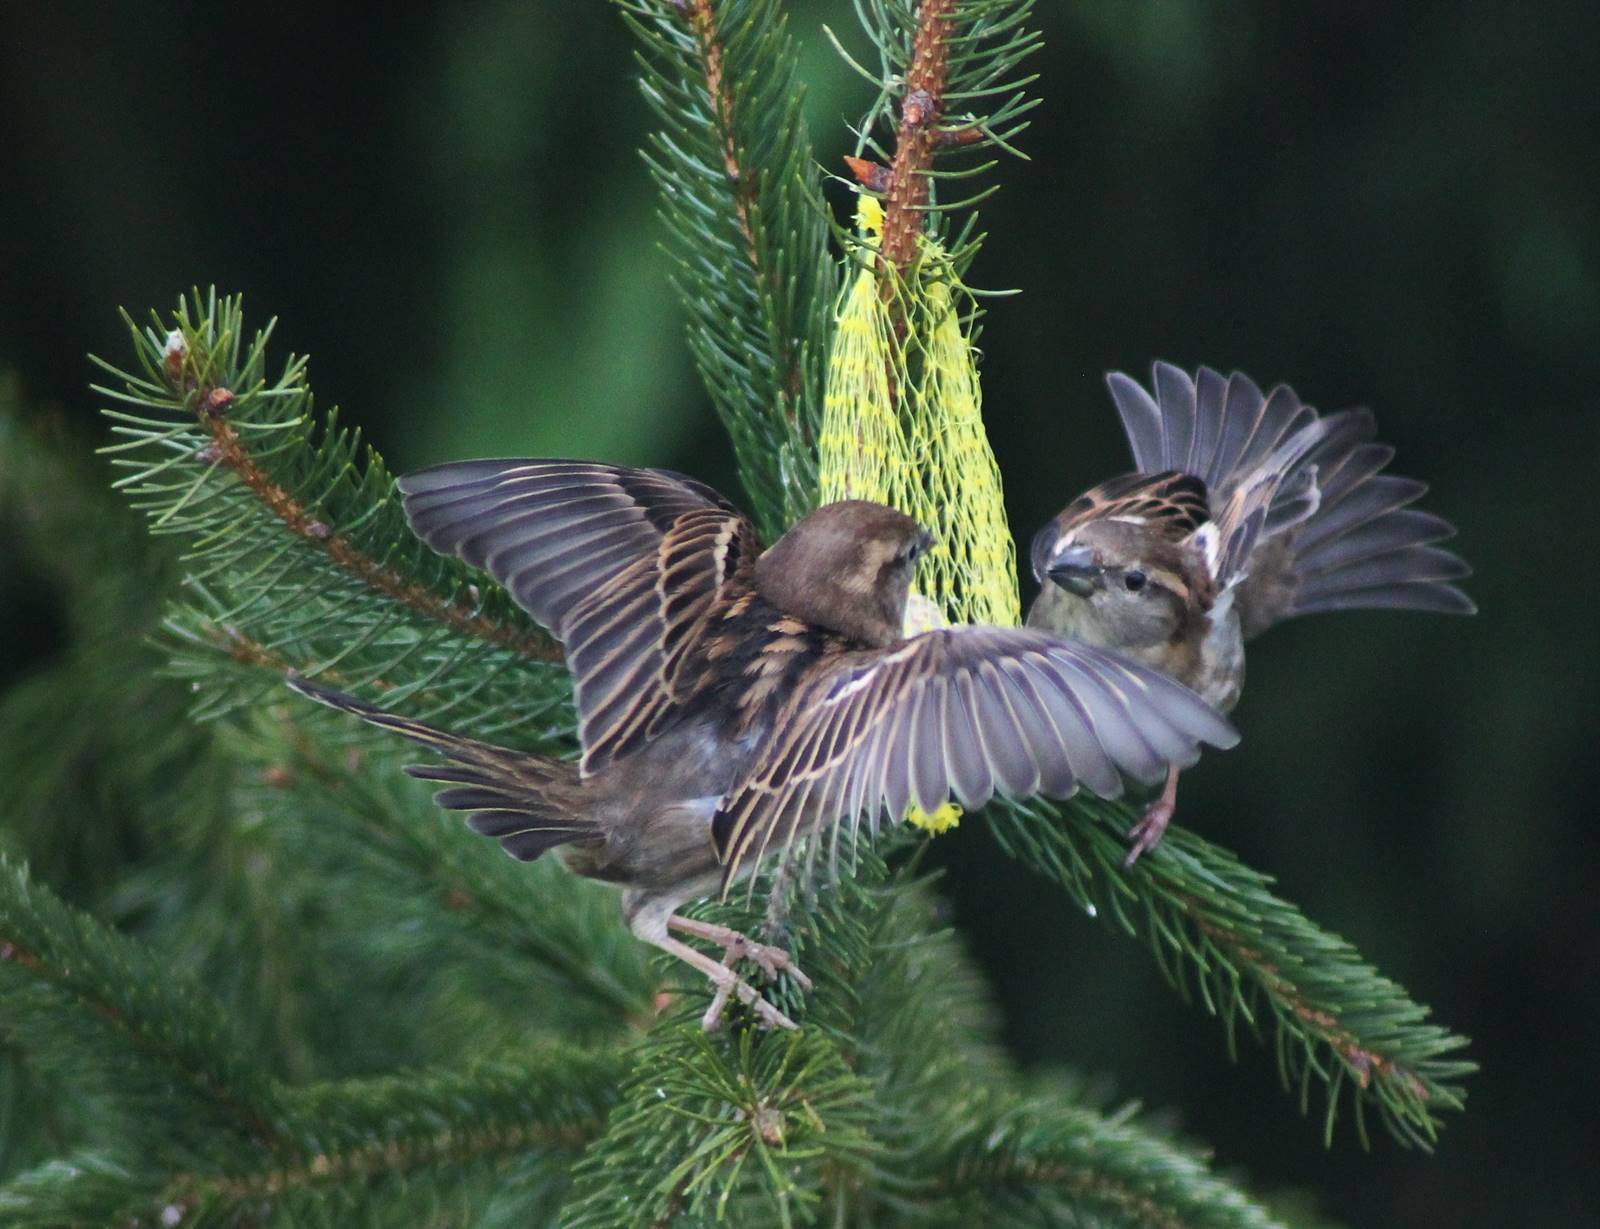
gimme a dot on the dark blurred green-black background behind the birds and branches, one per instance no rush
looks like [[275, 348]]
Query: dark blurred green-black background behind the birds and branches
[[1383, 204]]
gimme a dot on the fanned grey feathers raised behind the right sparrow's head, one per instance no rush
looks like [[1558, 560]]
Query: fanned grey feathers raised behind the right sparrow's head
[[1302, 506]]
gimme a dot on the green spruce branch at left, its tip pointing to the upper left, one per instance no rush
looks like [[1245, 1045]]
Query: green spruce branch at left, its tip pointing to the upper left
[[297, 546]]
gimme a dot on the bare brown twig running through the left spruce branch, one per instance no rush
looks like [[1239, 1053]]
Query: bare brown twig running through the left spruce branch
[[230, 452]]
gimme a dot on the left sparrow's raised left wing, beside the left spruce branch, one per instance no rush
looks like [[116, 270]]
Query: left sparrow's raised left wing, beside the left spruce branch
[[622, 564]]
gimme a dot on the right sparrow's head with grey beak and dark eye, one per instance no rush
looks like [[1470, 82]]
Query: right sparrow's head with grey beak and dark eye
[[1113, 582]]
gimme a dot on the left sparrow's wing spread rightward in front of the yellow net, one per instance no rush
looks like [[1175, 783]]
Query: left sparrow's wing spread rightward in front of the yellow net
[[966, 711]]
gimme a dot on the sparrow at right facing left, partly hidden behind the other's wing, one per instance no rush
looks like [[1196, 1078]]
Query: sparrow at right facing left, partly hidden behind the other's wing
[[1246, 510]]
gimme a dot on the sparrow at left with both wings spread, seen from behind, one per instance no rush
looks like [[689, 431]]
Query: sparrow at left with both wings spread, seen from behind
[[737, 703]]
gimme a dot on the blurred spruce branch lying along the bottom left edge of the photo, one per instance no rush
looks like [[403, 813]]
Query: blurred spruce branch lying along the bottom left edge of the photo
[[394, 1140]]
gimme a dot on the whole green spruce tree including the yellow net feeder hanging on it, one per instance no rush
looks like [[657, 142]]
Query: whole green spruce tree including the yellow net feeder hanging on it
[[290, 991]]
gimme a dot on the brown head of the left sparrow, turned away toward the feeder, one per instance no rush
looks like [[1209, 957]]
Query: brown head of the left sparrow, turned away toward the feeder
[[846, 567]]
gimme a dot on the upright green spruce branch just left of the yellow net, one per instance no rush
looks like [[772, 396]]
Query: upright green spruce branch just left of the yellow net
[[740, 199]]
